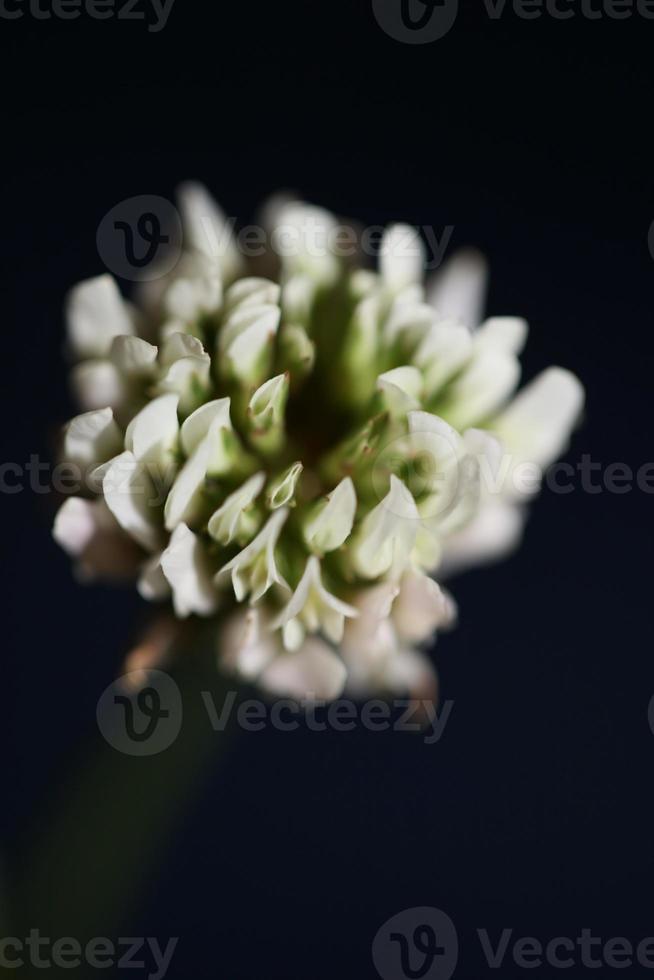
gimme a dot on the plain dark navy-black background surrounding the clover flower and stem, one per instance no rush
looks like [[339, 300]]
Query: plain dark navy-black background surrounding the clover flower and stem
[[535, 811]]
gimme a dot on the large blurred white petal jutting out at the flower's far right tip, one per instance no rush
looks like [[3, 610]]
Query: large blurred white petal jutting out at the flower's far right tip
[[537, 424]]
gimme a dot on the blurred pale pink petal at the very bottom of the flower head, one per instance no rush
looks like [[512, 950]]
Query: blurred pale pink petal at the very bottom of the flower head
[[313, 672]]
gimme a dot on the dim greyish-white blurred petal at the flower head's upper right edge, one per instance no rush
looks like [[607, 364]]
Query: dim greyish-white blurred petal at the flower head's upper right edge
[[458, 289]]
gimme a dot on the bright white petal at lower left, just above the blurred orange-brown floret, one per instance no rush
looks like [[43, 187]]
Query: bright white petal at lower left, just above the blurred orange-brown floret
[[185, 565]]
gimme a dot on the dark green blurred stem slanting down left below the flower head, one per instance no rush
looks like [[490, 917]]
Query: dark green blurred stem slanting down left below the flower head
[[100, 843]]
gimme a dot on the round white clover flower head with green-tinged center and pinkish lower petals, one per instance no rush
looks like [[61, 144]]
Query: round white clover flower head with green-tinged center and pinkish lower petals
[[294, 458]]
